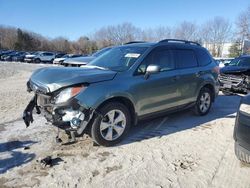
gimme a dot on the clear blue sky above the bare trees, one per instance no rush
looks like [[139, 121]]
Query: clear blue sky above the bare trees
[[75, 18]]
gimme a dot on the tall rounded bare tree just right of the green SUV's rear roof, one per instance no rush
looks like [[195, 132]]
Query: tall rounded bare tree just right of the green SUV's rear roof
[[215, 33]]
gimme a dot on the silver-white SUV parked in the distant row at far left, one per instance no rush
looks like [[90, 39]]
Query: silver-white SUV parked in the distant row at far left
[[39, 57]]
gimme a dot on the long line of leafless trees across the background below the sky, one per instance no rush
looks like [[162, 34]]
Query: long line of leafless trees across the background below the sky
[[213, 34]]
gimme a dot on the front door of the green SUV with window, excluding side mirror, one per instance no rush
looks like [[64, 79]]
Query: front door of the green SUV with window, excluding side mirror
[[159, 91]]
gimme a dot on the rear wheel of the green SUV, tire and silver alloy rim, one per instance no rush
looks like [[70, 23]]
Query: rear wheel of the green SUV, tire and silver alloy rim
[[203, 102]]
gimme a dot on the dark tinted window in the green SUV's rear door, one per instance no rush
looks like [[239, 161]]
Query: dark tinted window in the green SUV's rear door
[[185, 59]]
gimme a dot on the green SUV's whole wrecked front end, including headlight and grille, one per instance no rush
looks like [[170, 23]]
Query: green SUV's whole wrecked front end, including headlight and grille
[[60, 107]]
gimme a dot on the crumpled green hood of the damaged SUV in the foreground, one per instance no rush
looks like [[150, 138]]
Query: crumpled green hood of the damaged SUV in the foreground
[[54, 78]]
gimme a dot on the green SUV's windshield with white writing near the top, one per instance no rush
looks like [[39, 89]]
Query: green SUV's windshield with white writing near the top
[[119, 59]]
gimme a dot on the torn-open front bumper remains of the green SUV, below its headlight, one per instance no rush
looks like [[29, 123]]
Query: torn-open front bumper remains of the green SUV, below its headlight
[[67, 116]]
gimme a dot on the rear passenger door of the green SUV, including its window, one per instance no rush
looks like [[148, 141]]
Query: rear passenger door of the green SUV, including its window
[[189, 74]]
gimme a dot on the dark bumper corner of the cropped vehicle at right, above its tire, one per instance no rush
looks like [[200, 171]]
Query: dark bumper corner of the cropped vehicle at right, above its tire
[[242, 130]]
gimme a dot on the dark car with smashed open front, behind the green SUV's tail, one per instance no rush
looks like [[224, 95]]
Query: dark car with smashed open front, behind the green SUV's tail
[[234, 77]]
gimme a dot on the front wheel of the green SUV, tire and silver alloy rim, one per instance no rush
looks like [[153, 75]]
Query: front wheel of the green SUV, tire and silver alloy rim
[[113, 123]]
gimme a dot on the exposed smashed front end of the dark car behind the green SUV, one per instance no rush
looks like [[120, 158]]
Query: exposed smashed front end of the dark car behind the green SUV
[[234, 83]]
